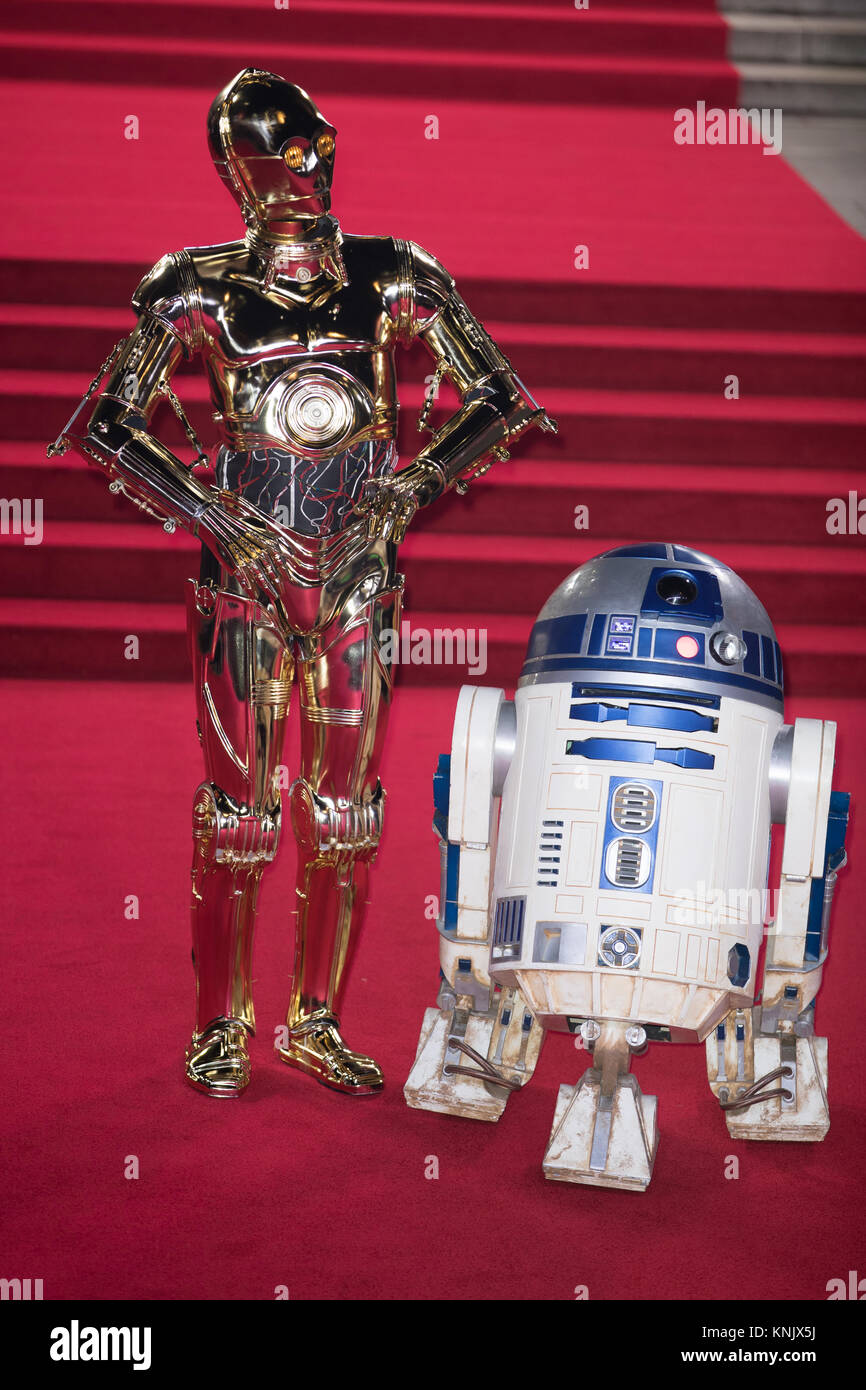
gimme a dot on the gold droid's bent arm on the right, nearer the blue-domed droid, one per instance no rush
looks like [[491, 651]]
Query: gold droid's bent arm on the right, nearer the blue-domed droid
[[496, 405]]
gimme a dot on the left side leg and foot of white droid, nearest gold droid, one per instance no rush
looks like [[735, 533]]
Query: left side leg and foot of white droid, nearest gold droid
[[477, 1046]]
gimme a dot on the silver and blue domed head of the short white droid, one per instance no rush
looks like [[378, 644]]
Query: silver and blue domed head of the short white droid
[[658, 618]]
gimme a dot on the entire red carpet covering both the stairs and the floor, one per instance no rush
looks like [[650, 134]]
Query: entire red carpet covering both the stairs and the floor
[[555, 133]]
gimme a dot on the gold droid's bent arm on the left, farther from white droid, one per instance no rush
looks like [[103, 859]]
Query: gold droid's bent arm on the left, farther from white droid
[[117, 436]]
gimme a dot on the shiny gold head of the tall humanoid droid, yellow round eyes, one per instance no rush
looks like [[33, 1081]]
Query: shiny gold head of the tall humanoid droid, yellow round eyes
[[273, 149]]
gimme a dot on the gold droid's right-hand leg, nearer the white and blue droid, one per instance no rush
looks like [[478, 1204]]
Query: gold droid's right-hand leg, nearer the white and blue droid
[[337, 806]]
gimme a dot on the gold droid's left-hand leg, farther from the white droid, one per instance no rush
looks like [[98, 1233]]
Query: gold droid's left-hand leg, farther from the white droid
[[243, 672]]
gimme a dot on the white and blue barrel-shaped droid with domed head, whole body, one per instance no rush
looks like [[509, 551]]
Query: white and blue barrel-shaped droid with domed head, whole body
[[605, 867]]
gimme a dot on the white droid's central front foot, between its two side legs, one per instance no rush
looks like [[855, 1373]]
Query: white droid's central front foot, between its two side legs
[[604, 1140]]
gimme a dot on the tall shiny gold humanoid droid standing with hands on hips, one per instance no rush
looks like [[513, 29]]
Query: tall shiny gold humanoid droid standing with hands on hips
[[297, 327]]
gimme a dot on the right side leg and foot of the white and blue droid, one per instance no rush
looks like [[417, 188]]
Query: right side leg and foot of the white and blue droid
[[765, 1065]]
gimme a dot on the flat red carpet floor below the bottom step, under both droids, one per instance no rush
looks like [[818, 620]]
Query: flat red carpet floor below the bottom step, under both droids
[[294, 1185]]
